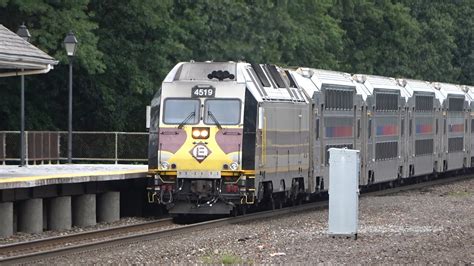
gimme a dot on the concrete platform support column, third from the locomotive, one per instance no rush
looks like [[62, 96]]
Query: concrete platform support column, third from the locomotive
[[60, 215]]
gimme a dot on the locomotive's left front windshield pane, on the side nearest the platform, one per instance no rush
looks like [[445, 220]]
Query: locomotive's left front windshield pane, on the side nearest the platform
[[177, 111]]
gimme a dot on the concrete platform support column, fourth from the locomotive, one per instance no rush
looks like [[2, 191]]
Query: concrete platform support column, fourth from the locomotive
[[30, 216]]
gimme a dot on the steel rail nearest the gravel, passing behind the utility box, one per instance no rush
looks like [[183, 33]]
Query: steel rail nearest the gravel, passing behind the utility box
[[146, 236]]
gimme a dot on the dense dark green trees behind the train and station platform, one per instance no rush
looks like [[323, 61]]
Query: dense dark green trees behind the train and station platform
[[127, 47]]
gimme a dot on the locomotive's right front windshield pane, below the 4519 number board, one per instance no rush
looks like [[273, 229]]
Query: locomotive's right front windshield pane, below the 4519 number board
[[222, 111]]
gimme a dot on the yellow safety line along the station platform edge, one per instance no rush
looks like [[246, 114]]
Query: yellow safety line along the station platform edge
[[69, 175]]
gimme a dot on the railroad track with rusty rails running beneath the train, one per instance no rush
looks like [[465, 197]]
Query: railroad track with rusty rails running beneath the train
[[30, 252]]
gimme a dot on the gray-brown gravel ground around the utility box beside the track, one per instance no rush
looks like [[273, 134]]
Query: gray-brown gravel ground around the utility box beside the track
[[433, 225]]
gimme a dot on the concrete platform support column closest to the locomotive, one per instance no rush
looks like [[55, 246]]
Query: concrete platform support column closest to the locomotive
[[108, 207]]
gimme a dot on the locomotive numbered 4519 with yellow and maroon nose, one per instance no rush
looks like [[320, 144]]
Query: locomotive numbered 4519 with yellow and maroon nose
[[256, 143]]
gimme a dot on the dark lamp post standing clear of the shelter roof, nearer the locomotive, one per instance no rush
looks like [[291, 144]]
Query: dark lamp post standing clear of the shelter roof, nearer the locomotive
[[70, 43]]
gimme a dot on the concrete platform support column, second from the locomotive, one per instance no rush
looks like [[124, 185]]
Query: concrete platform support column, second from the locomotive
[[83, 210]]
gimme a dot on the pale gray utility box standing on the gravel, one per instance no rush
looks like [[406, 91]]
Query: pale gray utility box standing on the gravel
[[344, 170]]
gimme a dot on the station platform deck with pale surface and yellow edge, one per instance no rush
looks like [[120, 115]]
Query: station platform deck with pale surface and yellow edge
[[12, 177]]
